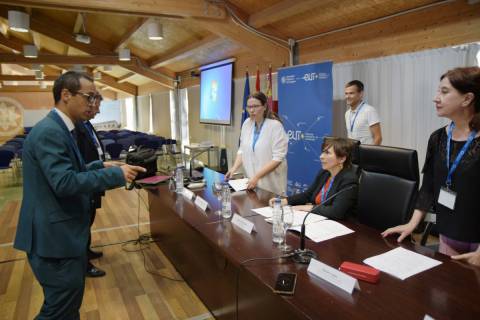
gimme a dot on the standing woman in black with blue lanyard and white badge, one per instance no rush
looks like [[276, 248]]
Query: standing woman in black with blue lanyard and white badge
[[451, 175]]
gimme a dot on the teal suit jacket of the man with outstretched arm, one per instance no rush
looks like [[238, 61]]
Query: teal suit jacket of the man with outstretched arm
[[54, 218]]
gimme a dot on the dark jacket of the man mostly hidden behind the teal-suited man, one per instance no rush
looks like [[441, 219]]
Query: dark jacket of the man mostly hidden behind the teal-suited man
[[90, 153]]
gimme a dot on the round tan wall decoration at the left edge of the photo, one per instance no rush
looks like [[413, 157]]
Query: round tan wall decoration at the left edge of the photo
[[11, 117]]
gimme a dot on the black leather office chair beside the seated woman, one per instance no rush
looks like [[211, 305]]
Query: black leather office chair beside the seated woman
[[388, 185]]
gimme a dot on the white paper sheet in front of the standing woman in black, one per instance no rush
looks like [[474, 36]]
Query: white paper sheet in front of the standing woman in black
[[402, 263]]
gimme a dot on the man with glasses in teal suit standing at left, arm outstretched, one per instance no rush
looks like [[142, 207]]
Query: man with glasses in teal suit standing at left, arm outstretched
[[54, 219]]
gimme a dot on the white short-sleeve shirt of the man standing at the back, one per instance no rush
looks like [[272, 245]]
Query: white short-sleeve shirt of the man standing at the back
[[367, 117]]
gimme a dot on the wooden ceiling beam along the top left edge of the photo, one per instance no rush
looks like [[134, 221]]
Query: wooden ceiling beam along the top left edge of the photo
[[182, 8]]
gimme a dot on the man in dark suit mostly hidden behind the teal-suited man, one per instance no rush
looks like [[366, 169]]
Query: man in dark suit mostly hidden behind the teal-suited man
[[92, 149]]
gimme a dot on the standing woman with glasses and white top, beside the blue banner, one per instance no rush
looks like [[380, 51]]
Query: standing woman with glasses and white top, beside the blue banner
[[263, 148]]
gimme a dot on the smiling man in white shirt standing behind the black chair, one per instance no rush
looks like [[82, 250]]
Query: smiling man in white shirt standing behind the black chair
[[361, 119]]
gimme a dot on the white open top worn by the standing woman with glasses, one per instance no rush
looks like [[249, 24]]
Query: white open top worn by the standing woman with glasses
[[272, 144]]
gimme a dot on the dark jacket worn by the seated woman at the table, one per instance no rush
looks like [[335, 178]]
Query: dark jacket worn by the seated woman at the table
[[337, 208]]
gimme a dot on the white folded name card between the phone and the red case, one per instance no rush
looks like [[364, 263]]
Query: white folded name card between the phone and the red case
[[333, 276]]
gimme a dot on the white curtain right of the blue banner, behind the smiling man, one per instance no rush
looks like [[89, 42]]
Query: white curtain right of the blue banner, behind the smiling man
[[401, 88]]
